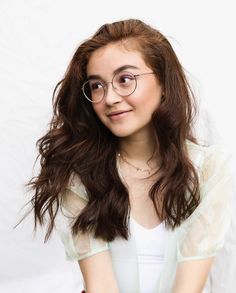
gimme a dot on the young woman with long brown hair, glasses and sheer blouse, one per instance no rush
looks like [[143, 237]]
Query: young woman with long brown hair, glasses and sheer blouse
[[136, 200]]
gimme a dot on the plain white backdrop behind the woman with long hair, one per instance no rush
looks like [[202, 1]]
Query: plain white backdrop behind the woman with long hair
[[37, 40]]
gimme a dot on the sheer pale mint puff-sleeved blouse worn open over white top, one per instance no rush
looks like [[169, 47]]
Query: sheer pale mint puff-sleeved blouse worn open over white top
[[198, 237]]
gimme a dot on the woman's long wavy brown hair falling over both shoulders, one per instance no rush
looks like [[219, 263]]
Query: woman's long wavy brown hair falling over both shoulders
[[78, 143]]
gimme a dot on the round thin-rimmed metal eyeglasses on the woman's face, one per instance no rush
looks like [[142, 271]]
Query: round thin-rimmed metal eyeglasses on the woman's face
[[124, 84]]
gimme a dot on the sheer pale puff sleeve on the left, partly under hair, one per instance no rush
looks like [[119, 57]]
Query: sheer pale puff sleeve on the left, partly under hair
[[78, 247]]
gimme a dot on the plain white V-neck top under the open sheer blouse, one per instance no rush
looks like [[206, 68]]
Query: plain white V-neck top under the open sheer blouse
[[150, 244]]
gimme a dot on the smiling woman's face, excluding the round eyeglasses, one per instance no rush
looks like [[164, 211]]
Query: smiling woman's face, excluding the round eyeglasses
[[130, 115]]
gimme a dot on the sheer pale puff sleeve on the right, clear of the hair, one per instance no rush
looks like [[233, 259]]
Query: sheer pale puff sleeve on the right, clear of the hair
[[202, 234]]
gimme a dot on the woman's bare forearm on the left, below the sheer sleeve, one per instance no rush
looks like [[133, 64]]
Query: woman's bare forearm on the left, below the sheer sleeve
[[98, 273]]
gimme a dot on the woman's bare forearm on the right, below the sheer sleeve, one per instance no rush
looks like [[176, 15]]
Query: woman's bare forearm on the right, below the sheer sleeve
[[191, 275]]
